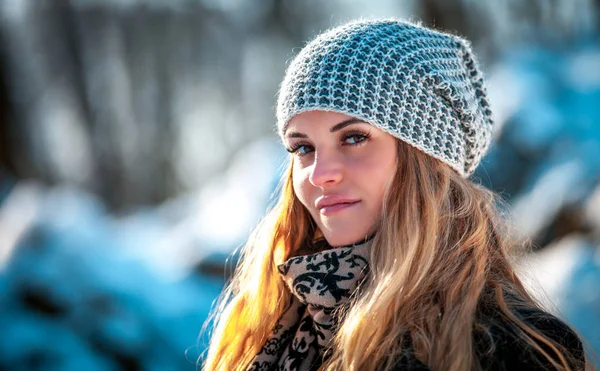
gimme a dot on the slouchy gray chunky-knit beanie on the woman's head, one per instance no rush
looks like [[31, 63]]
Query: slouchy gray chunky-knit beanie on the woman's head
[[420, 85]]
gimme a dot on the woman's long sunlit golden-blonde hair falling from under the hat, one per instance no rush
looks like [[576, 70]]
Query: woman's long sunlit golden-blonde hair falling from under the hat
[[441, 251]]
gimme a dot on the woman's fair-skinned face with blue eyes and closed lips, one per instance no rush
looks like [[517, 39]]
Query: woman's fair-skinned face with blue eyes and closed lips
[[341, 168]]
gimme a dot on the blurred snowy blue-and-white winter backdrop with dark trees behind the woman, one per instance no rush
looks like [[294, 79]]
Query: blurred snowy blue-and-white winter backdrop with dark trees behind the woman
[[137, 152]]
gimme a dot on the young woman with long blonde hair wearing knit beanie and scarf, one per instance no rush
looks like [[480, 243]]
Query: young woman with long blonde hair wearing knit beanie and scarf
[[380, 254]]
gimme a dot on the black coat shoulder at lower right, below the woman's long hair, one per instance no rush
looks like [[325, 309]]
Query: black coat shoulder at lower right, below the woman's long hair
[[500, 345]]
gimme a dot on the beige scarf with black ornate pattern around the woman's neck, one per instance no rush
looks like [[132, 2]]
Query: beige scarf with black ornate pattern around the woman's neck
[[320, 283]]
